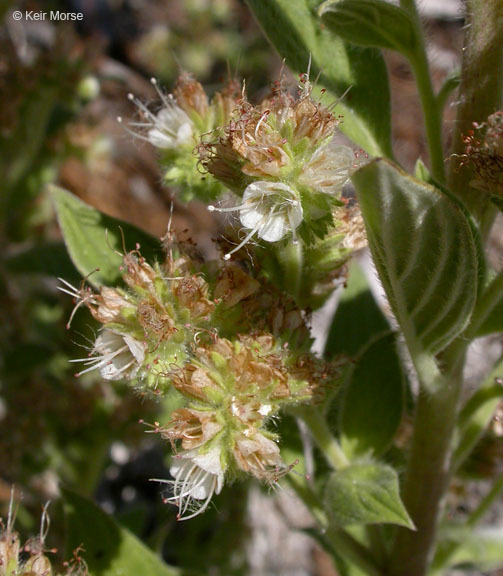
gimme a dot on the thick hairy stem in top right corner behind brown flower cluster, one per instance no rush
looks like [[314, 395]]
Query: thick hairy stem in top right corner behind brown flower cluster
[[480, 94]]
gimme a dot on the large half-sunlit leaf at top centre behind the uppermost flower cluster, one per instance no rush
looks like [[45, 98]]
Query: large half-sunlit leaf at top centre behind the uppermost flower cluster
[[294, 29]]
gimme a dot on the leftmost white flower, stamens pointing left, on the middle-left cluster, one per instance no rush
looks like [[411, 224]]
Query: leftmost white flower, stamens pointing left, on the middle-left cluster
[[115, 355]]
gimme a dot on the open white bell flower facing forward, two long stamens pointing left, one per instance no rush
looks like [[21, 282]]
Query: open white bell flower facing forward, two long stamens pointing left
[[270, 209]]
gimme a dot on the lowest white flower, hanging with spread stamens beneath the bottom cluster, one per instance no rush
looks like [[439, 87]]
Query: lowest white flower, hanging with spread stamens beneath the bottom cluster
[[197, 476]]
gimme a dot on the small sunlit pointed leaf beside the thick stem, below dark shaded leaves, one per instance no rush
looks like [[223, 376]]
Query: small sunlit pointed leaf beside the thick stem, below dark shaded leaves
[[365, 494]]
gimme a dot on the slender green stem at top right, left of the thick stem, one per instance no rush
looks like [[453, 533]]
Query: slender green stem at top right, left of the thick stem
[[431, 111]]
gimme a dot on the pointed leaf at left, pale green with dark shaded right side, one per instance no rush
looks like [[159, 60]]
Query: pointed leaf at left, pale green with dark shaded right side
[[94, 240]]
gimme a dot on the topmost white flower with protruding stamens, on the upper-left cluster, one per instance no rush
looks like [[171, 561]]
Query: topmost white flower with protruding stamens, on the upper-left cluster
[[169, 128]]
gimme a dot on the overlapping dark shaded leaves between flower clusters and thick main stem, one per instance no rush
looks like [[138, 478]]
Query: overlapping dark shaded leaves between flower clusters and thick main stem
[[371, 404]]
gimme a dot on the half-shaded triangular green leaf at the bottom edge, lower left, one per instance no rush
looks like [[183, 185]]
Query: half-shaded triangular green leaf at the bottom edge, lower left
[[109, 549]]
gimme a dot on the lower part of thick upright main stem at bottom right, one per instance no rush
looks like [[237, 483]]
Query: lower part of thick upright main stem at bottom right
[[428, 468]]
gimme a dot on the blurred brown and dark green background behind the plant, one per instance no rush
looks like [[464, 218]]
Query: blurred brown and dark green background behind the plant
[[62, 87]]
